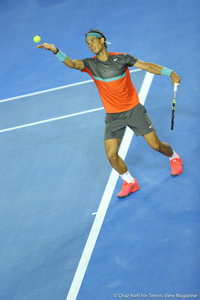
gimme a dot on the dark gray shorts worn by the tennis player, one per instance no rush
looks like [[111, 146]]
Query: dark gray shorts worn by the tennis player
[[136, 118]]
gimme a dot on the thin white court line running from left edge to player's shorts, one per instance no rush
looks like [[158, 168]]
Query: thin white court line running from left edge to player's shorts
[[51, 120]]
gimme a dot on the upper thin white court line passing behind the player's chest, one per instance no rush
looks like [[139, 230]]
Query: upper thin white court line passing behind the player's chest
[[54, 89]]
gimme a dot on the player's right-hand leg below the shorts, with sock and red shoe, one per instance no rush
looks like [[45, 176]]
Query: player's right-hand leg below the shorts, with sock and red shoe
[[164, 148]]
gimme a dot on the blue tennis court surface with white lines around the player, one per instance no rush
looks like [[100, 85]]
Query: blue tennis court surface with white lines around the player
[[64, 233]]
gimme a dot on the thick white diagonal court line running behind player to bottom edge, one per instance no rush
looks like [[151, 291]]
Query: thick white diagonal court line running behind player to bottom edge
[[96, 227]]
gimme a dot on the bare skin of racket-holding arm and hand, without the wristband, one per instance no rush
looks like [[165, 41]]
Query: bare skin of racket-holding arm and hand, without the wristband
[[156, 69]]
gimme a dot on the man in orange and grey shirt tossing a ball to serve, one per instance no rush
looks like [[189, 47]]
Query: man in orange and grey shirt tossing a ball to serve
[[110, 73]]
